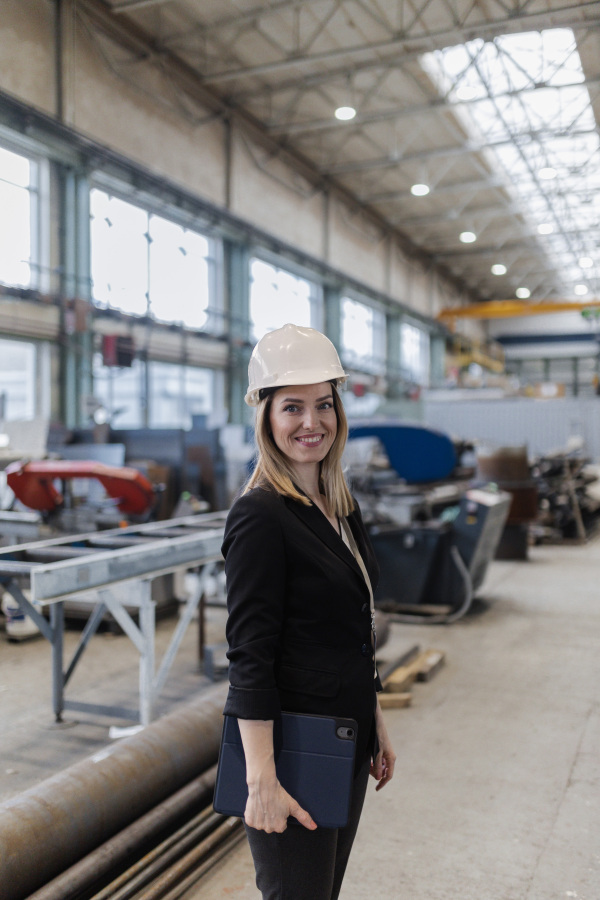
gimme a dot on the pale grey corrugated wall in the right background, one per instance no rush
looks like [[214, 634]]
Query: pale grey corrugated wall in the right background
[[543, 425]]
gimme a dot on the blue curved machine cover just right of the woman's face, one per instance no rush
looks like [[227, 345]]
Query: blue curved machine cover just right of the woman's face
[[415, 452]]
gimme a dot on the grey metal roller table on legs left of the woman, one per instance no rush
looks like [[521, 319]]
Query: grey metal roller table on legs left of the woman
[[64, 567]]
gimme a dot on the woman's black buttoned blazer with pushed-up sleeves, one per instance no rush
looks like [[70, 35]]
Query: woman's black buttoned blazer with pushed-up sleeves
[[299, 616]]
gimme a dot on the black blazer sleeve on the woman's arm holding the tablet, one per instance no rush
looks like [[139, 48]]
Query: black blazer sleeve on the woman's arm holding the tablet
[[254, 553]]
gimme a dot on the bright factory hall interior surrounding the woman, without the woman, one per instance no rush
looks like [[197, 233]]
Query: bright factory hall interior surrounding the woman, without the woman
[[416, 180]]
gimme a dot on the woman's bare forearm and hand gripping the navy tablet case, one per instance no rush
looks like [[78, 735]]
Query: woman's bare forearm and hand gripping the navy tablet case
[[269, 805]]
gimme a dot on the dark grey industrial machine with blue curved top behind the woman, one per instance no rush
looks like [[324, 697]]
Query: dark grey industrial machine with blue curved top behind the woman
[[434, 534]]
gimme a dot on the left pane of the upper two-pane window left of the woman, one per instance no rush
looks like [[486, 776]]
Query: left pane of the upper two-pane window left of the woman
[[119, 249]]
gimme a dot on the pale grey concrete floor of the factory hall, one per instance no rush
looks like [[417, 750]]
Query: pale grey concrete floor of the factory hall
[[495, 796]]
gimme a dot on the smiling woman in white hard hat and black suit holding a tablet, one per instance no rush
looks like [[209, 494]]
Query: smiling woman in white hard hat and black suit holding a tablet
[[299, 627]]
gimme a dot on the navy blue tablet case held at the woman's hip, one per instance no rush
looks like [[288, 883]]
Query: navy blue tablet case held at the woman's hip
[[314, 760]]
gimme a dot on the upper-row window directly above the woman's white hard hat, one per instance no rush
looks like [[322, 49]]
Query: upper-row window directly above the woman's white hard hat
[[278, 297]]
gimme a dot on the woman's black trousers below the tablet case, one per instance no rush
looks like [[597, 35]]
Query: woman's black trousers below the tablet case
[[307, 865]]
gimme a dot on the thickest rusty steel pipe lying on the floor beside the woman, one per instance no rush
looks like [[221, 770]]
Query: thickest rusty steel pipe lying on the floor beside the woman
[[51, 826]]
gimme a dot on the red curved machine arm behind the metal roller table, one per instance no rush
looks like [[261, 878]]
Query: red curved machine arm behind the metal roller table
[[32, 484]]
